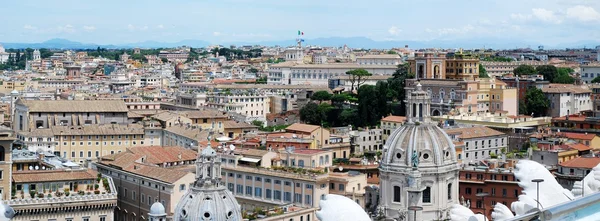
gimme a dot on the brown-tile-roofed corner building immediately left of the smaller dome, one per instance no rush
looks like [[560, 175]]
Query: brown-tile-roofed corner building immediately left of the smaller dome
[[144, 175]]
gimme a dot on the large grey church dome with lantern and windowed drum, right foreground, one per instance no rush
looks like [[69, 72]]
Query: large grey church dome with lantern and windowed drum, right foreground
[[419, 166]]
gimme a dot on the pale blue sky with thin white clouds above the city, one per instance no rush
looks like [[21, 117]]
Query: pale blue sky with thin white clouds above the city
[[547, 22]]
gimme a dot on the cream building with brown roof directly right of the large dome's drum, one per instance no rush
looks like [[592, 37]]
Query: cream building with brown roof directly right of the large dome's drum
[[480, 142]]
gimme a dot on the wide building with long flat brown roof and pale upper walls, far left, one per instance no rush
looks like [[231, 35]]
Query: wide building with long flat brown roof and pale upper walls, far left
[[31, 114]]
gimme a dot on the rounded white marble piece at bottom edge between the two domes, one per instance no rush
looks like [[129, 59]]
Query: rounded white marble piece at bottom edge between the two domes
[[336, 207]]
